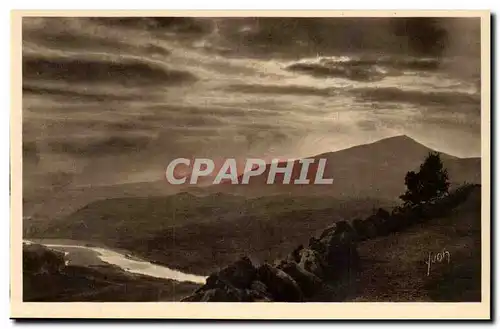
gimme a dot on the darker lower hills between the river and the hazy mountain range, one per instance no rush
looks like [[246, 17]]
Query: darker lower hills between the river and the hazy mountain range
[[206, 232]]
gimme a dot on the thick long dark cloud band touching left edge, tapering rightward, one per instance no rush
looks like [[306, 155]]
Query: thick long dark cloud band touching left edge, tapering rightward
[[127, 72]]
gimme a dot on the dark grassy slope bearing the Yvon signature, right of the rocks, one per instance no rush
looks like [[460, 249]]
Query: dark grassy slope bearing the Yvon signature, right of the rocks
[[394, 267]]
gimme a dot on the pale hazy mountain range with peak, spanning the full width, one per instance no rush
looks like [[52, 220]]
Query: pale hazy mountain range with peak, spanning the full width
[[374, 170]]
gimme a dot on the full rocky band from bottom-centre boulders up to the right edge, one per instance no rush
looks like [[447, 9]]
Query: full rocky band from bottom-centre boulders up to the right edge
[[327, 262]]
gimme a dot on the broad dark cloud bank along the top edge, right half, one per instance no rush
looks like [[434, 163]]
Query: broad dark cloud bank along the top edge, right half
[[290, 37]]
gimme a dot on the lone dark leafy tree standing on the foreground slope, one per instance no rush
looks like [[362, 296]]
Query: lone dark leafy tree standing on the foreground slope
[[431, 181]]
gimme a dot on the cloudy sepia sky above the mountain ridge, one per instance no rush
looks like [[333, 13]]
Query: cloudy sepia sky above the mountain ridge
[[112, 100]]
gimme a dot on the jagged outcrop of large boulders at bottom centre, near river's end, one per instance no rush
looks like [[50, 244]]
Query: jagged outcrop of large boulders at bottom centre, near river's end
[[296, 277]]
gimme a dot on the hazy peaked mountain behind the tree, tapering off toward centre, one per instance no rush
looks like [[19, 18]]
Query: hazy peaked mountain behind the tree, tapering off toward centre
[[369, 170]]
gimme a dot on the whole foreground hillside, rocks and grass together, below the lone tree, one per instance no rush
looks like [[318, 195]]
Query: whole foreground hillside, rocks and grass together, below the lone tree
[[427, 252]]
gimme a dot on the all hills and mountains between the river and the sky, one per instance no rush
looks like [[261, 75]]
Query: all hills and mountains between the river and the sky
[[261, 219]]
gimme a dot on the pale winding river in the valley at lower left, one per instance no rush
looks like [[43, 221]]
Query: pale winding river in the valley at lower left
[[131, 265]]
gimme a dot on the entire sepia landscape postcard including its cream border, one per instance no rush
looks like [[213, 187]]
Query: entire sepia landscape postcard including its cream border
[[190, 160]]
